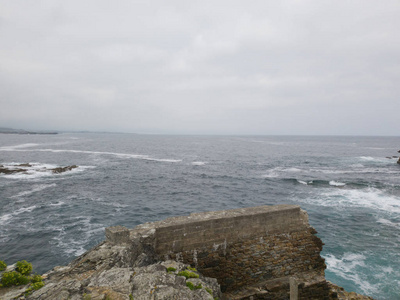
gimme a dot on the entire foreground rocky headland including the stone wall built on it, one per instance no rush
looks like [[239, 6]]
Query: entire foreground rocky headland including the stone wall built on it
[[132, 263]]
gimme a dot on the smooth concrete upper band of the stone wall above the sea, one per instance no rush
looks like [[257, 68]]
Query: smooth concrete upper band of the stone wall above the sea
[[218, 228]]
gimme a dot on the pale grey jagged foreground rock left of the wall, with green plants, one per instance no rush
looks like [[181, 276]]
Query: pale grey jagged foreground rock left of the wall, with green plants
[[116, 272]]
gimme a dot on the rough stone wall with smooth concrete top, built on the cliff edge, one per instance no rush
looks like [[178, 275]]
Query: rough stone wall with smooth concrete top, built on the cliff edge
[[261, 246]]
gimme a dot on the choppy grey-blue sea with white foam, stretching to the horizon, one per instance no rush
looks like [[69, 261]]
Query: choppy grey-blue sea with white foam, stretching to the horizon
[[349, 188]]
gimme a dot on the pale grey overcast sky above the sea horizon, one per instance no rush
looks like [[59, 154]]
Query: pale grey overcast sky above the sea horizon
[[201, 67]]
